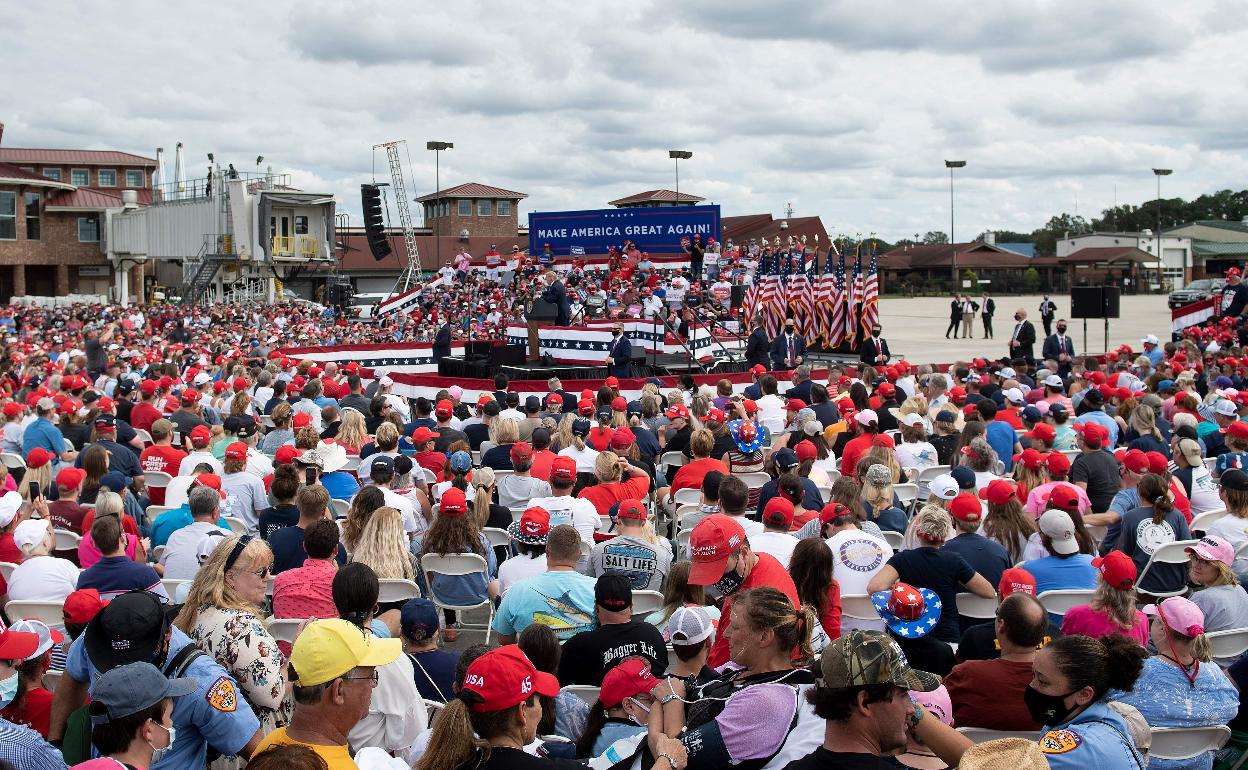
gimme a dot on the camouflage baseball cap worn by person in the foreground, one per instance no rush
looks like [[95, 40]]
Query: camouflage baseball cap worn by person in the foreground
[[863, 658]]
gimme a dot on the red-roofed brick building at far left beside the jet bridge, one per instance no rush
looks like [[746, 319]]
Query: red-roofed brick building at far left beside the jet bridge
[[54, 208]]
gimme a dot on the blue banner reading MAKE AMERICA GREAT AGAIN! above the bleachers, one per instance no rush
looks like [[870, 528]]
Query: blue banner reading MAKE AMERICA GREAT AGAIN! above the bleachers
[[657, 231]]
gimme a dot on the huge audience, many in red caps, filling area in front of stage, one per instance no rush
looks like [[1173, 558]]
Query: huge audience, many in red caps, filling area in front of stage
[[219, 556]]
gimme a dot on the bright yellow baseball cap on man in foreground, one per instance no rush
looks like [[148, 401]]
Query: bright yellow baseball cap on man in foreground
[[330, 648]]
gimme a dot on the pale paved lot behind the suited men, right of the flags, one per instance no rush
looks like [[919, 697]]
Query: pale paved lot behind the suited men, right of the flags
[[917, 328]]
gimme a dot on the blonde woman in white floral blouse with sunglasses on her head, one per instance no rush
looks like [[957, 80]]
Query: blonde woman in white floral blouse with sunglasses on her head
[[223, 617]]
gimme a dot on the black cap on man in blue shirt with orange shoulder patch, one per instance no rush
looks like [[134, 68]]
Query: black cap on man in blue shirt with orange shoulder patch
[[129, 630]]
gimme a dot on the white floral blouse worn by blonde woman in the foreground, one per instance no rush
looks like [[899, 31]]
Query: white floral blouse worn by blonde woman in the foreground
[[244, 647]]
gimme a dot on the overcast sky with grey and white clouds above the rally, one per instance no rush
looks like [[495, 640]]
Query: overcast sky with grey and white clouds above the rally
[[844, 108]]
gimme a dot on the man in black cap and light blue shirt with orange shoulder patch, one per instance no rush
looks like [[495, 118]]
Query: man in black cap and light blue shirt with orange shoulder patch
[[135, 628]]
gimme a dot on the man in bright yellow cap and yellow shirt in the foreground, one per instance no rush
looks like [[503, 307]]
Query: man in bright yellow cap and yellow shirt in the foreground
[[334, 670]]
